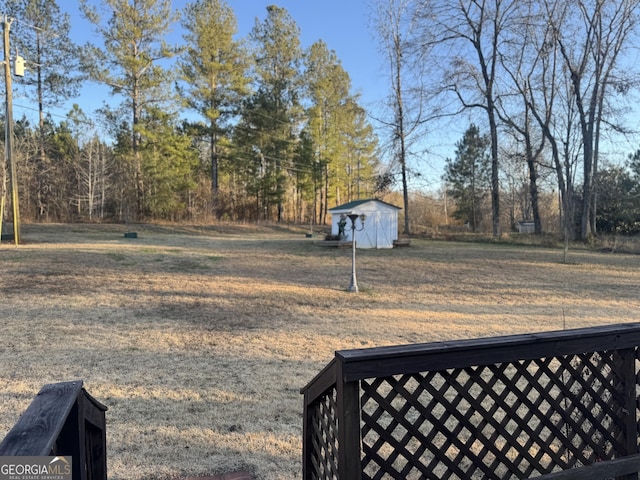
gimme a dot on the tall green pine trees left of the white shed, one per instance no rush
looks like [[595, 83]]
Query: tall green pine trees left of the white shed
[[255, 128]]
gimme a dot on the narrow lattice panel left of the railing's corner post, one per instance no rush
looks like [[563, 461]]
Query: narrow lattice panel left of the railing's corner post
[[324, 443]]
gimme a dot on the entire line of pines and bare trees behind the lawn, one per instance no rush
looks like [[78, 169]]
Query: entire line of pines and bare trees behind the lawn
[[274, 132]]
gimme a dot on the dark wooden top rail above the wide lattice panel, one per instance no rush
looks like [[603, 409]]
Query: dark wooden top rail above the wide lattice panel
[[405, 359]]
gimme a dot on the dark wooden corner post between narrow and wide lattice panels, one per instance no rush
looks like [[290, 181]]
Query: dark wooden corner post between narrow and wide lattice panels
[[348, 400]]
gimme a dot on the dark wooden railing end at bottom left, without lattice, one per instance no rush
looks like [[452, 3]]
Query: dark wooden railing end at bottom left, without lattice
[[63, 420]]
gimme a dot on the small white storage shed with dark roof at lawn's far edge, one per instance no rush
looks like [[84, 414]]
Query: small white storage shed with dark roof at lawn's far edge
[[380, 227]]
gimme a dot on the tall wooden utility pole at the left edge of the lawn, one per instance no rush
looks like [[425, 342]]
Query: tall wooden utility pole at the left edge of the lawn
[[8, 146]]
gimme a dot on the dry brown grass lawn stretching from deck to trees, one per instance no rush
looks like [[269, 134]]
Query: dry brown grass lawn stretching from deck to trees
[[199, 339]]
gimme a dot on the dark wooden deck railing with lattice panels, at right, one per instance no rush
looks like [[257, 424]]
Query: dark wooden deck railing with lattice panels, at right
[[554, 405]]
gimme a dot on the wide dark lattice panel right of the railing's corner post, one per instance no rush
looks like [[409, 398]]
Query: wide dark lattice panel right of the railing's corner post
[[502, 421]]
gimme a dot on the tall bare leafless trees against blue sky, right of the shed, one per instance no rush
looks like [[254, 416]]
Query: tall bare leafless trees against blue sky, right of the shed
[[549, 81]]
